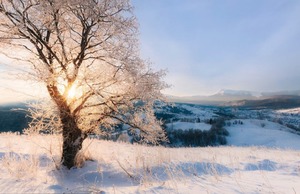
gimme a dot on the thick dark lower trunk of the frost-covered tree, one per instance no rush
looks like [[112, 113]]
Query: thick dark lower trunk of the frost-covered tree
[[72, 139]]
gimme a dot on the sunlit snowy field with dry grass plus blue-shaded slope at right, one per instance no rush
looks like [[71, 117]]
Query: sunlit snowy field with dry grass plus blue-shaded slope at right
[[28, 164]]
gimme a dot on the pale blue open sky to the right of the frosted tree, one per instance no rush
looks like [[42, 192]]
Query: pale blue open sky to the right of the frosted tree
[[211, 45]]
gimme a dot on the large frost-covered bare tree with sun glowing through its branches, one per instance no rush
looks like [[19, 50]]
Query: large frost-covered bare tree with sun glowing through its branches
[[86, 54]]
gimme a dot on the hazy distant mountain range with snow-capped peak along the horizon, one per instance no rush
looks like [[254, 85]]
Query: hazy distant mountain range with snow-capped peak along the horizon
[[245, 98]]
